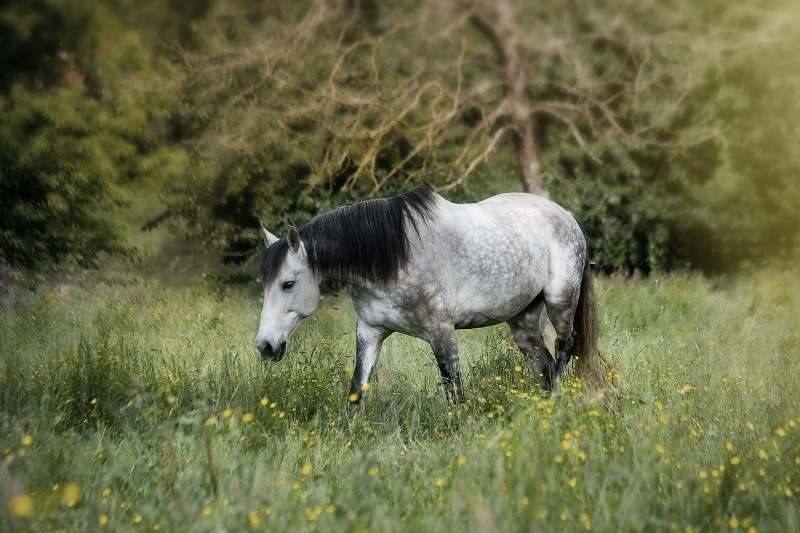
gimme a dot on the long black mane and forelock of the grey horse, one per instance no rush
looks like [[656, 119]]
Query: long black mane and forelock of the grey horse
[[366, 240]]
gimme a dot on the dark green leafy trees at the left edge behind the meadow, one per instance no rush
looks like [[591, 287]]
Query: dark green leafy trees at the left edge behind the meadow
[[77, 132]]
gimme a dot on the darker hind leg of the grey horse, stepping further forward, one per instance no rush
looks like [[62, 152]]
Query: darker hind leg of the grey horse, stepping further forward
[[528, 336]]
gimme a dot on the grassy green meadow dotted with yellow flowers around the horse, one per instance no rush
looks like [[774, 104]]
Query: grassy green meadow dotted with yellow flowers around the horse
[[132, 404]]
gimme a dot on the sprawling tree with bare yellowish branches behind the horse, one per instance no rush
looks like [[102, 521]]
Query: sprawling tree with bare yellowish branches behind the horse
[[294, 106]]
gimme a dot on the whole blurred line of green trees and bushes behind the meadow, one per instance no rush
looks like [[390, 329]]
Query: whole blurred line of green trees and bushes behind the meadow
[[670, 128]]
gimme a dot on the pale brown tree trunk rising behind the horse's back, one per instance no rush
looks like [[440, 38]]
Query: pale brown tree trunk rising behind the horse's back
[[496, 20]]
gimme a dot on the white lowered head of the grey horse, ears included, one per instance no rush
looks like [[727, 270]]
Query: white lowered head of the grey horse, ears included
[[291, 293]]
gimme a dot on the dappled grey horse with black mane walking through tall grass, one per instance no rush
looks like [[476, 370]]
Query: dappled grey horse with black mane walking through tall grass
[[420, 265]]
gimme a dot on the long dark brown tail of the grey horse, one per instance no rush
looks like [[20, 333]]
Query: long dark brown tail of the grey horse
[[589, 363]]
